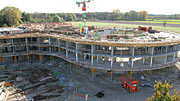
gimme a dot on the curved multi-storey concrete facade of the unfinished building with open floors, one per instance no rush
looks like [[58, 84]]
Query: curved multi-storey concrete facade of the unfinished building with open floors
[[138, 53]]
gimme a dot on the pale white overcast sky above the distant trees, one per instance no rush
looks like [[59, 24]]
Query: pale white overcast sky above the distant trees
[[58, 6]]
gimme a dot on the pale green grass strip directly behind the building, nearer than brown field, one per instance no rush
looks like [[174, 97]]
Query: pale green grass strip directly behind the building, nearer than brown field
[[100, 24]]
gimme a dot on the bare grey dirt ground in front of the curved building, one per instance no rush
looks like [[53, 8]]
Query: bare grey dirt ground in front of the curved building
[[78, 82]]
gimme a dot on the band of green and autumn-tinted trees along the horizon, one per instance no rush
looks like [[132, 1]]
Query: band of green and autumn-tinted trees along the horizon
[[12, 16]]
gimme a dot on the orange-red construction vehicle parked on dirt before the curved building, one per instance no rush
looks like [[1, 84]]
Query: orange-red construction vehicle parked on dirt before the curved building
[[128, 84]]
